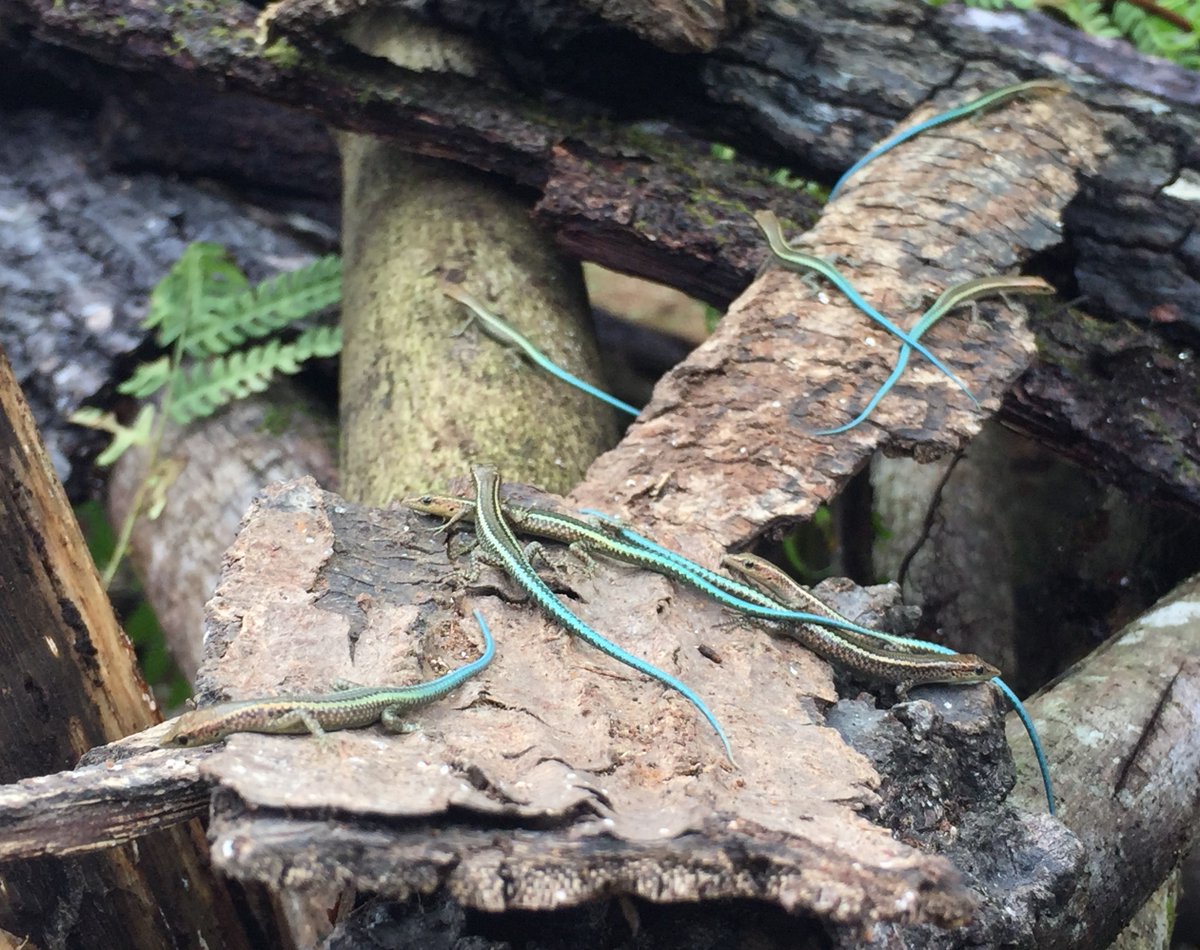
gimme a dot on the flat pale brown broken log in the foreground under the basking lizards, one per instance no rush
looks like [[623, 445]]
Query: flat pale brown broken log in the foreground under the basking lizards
[[569, 774]]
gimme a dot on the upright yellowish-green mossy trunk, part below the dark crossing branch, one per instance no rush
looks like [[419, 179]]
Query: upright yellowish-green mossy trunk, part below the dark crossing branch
[[419, 399]]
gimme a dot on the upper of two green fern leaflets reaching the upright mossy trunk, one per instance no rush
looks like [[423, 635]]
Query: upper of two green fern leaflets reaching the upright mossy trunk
[[271, 306]]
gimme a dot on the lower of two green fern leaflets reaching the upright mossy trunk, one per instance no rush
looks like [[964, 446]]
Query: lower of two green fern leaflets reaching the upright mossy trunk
[[209, 386]]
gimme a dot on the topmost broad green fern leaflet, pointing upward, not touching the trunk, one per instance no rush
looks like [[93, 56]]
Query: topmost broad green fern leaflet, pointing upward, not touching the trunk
[[197, 286]]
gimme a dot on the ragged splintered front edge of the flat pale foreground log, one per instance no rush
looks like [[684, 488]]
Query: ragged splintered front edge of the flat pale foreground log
[[505, 869]]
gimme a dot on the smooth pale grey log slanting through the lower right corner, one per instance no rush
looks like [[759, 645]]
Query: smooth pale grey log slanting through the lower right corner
[[1125, 729]]
